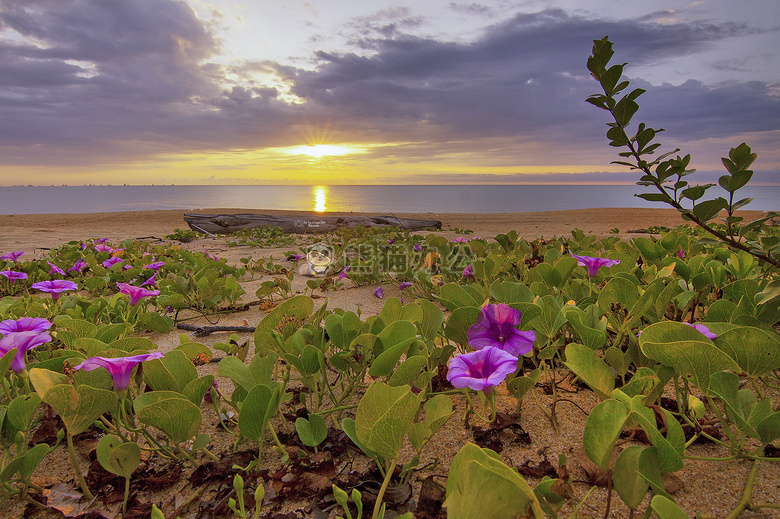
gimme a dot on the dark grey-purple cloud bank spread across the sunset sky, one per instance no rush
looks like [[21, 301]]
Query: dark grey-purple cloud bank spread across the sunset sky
[[120, 81]]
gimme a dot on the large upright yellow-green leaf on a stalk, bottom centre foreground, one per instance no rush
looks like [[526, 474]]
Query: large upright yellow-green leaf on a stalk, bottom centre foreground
[[383, 416]]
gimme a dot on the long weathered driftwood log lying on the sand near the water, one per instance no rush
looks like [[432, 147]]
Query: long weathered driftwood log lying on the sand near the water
[[229, 223]]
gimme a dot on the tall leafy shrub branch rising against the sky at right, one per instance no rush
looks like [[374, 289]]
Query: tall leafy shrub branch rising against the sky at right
[[668, 178]]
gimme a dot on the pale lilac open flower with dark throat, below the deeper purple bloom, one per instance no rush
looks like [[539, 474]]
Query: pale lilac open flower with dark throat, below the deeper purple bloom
[[481, 370]]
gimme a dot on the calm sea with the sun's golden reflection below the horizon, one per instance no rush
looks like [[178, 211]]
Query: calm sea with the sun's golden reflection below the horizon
[[399, 199]]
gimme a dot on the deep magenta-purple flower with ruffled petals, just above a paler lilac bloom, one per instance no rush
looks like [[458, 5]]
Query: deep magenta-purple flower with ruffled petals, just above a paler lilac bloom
[[497, 327]]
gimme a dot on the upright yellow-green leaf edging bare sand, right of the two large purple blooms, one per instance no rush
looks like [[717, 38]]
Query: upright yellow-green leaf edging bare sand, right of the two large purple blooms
[[602, 431]]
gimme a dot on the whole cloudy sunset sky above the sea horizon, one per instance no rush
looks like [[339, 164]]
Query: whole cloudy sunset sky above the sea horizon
[[374, 92]]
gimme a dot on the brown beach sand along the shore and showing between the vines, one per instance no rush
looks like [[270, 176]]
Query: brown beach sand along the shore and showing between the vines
[[709, 488]]
